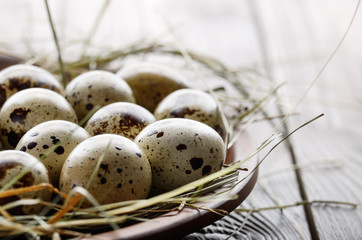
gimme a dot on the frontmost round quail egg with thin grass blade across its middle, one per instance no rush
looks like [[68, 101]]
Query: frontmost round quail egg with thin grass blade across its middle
[[124, 172]]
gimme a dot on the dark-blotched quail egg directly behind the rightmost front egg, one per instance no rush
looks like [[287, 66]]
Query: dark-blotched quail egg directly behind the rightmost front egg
[[192, 104]]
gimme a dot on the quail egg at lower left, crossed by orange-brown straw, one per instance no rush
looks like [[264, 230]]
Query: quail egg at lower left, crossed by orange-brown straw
[[12, 163]]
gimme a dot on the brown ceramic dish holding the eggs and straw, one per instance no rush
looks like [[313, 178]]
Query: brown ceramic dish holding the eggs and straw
[[179, 223]]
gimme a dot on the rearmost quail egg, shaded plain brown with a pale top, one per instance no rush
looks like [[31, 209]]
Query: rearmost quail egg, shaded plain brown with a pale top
[[151, 83]]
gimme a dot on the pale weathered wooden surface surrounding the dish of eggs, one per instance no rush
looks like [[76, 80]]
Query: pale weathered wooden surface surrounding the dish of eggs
[[287, 41]]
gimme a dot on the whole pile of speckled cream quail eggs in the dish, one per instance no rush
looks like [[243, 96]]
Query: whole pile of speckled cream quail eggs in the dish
[[146, 132]]
